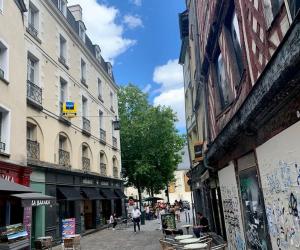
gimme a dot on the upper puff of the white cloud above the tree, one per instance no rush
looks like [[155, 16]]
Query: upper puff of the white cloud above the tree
[[169, 75]]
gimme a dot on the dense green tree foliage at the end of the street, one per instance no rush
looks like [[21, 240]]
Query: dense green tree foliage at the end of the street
[[149, 141]]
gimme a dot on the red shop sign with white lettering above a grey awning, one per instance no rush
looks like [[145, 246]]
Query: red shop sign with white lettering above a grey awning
[[15, 173]]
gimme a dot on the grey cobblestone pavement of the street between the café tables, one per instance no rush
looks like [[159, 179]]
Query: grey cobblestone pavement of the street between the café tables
[[125, 239]]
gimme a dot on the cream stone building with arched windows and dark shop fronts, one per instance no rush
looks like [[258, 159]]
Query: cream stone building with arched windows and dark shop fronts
[[44, 46]]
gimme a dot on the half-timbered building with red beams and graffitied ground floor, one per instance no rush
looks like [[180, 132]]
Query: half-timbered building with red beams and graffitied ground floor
[[249, 53]]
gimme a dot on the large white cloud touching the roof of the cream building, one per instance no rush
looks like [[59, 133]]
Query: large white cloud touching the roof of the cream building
[[103, 29]]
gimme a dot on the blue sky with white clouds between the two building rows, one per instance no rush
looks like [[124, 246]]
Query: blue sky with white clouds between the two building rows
[[141, 39]]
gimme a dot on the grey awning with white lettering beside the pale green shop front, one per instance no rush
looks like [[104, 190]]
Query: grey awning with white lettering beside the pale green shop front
[[35, 199]]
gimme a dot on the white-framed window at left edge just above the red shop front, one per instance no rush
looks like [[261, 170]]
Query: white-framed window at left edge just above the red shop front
[[4, 129]]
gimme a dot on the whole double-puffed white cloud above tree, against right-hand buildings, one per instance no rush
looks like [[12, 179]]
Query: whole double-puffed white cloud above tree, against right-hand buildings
[[170, 77]]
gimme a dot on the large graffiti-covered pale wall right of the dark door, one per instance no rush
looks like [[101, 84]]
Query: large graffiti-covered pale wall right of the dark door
[[279, 166]]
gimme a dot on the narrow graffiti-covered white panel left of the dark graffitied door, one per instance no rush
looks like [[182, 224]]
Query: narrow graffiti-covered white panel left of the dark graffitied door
[[231, 208]]
